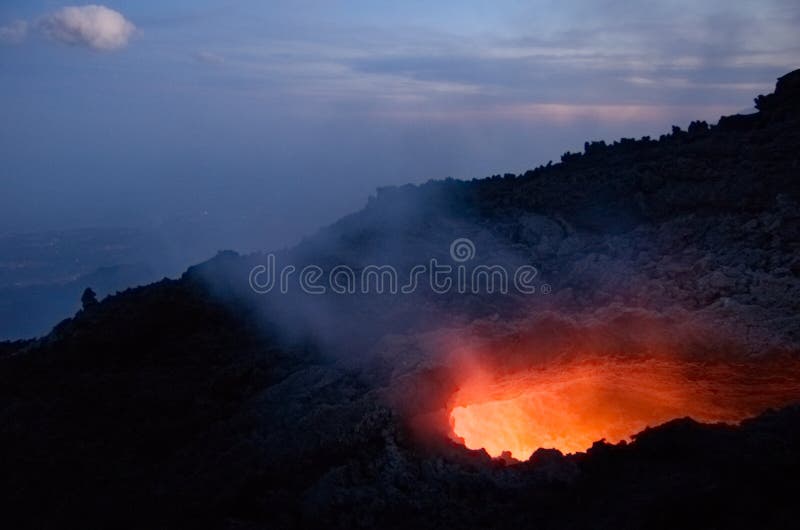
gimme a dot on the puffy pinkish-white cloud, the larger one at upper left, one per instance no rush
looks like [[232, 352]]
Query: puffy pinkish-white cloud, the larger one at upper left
[[94, 26]]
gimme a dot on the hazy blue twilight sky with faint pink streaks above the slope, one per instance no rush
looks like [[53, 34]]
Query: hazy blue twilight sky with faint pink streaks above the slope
[[254, 122]]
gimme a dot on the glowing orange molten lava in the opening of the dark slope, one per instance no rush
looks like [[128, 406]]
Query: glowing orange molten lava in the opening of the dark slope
[[569, 407]]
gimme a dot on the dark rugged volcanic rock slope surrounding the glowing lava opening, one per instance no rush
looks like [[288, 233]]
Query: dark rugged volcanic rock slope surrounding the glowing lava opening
[[200, 403]]
